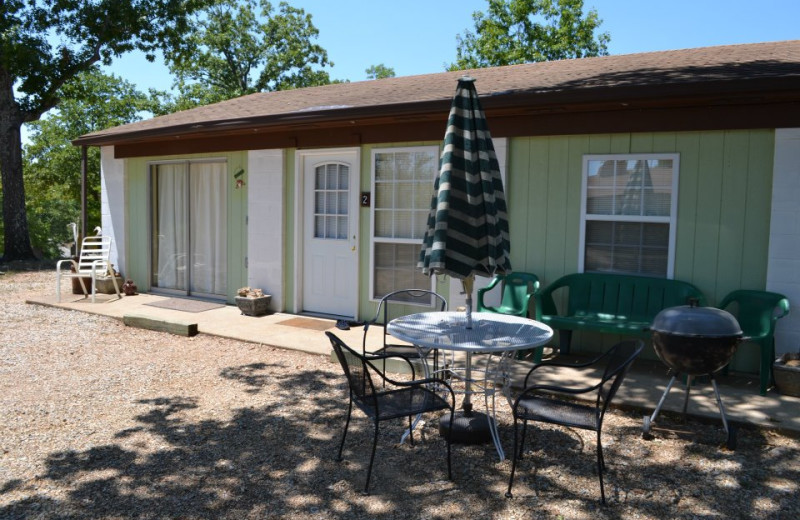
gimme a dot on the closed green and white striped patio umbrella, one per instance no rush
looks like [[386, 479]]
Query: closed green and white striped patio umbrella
[[468, 223]]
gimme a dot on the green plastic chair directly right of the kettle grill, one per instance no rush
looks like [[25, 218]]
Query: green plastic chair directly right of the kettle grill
[[757, 313]]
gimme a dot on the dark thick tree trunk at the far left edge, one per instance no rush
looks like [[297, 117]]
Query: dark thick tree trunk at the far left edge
[[17, 241]]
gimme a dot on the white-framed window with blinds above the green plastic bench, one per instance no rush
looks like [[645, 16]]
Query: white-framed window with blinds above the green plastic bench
[[629, 207]]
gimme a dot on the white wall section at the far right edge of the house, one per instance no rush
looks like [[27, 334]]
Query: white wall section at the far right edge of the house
[[783, 267]]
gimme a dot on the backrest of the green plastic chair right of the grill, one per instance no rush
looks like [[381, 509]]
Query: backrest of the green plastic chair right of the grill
[[756, 311]]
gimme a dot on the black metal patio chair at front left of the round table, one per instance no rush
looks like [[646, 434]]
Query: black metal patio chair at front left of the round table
[[399, 399]]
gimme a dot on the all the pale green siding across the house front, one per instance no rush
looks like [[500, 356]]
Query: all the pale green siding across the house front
[[724, 194]]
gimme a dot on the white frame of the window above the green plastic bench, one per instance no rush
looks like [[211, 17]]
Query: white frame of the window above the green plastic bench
[[672, 219]]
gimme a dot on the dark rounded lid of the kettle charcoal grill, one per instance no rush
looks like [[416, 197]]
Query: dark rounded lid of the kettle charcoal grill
[[691, 320]]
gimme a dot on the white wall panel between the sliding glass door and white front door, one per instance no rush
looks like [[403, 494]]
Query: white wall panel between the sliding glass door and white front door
[[265, 229]]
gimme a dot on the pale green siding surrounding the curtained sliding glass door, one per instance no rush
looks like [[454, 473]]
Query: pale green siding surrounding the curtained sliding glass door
[[137, 198]]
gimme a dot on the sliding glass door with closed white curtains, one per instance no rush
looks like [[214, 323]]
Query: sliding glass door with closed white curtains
[[188, 223]]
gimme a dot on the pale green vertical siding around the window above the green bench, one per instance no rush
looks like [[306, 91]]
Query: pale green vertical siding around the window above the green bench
[[724, 204]]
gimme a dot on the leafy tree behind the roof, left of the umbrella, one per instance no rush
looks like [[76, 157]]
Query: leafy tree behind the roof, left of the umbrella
[[232, 52]]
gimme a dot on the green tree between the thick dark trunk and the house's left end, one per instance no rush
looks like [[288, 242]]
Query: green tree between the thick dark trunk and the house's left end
[[91, 101]]
